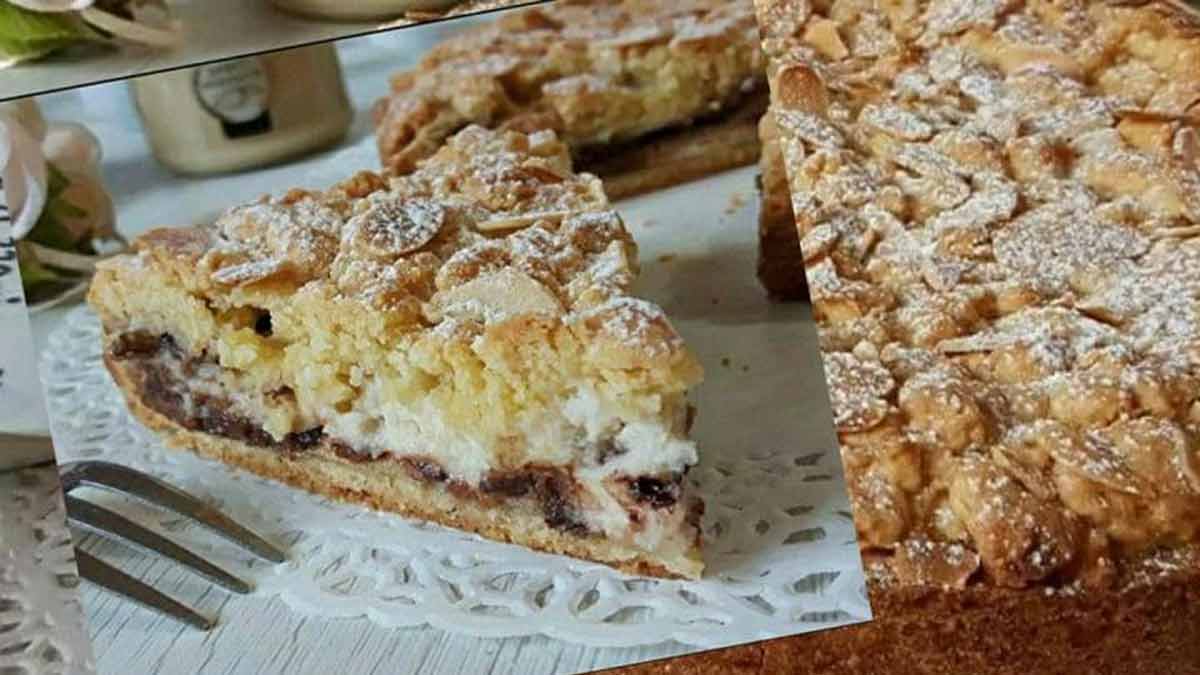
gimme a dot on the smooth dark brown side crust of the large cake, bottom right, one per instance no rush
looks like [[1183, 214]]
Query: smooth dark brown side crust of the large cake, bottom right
[[1153, 630]]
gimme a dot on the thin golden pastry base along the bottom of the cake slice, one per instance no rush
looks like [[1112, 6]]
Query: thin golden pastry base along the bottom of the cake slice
[[387, 487]]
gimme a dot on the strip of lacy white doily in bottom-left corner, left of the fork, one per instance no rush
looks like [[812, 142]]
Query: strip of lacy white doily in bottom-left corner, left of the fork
[[41, 620]]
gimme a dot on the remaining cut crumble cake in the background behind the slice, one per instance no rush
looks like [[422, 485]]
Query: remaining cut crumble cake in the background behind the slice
[[602, 74]]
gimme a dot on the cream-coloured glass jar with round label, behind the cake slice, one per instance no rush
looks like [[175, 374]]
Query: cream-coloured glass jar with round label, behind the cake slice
[[245, 114]]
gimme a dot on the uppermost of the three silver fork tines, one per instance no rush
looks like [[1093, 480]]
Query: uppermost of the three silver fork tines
[[128, 482]]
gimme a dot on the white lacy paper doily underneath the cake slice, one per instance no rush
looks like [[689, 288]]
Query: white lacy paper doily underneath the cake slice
[[781, 548]]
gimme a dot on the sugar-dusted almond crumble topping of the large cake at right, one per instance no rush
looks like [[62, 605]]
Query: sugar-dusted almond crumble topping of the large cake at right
[[1009, 289]]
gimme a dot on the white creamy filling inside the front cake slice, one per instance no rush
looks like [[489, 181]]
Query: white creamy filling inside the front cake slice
[[569, 435]]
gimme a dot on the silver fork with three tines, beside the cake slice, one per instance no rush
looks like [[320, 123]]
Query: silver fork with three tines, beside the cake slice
[[95, 518]]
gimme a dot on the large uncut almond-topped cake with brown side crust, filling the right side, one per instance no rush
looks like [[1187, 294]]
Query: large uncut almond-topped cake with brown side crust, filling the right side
[[998, 202]]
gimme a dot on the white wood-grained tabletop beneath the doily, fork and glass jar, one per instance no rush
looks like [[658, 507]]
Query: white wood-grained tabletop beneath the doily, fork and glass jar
[[256, 635]]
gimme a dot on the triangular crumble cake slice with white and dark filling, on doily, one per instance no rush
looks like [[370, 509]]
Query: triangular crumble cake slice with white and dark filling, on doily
[[458, 344]]
